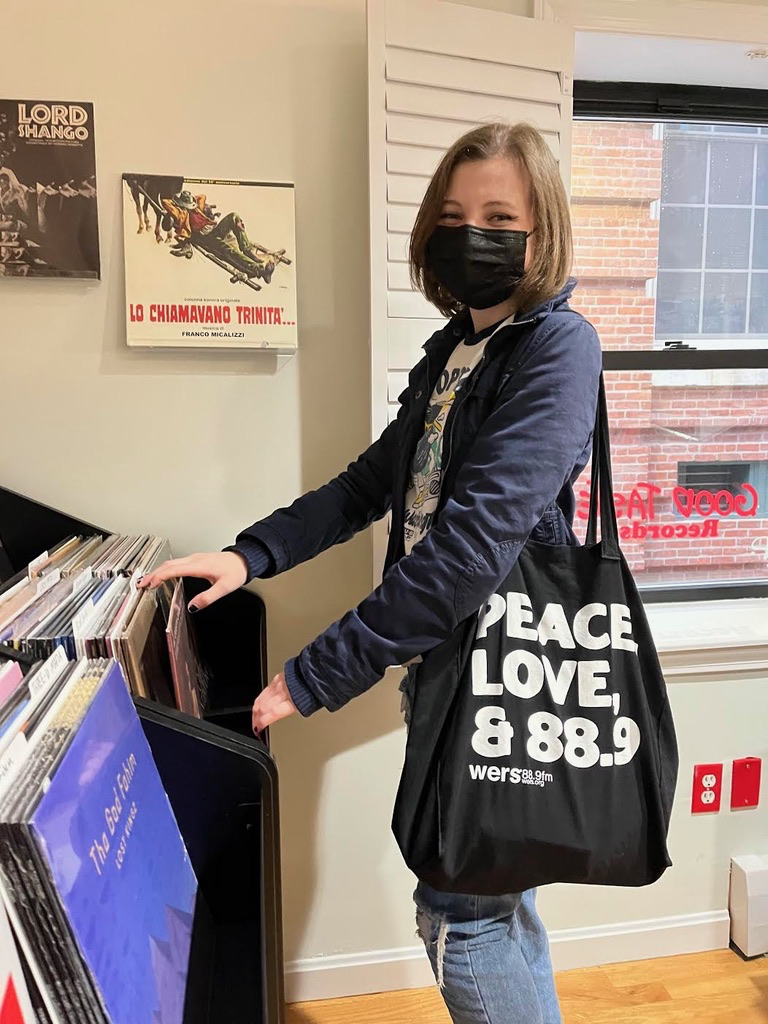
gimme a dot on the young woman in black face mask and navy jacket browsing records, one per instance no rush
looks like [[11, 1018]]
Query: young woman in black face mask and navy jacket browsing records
[[493, 431]]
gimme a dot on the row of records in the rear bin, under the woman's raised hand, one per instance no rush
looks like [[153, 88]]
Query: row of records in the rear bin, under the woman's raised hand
[[81, 598]]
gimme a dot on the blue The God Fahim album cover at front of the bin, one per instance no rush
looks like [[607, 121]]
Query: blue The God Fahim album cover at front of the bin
[[119, 864]]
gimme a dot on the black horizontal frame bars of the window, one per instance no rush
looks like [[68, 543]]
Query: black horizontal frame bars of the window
[[689, 104]]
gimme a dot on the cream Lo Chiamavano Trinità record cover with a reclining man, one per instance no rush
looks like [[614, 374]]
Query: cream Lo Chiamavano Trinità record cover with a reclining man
[[209, 264]]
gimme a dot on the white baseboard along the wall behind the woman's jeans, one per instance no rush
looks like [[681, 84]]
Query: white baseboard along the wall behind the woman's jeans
[[391, 970]]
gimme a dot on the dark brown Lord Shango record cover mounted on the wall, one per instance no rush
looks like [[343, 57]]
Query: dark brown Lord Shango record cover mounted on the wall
[[49, 215]]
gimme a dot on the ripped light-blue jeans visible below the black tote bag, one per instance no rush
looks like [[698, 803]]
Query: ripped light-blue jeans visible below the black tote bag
[[490, 956]]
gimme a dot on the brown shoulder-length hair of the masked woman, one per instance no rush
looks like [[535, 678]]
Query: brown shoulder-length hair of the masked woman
[[553, 254]]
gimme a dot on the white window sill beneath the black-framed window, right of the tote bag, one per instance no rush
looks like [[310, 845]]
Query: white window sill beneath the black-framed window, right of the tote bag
[[712, 639]]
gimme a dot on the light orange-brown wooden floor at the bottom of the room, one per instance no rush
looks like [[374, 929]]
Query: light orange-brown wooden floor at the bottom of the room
[[706, 989]]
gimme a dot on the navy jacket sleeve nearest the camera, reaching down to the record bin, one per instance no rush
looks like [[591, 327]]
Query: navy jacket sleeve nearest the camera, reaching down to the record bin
[[523, 457]]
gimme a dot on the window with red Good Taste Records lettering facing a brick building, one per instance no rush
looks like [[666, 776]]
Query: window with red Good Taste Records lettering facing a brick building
[[671, 239]]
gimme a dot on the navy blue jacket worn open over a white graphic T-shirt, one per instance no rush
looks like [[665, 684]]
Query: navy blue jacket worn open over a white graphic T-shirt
[[519, 436]]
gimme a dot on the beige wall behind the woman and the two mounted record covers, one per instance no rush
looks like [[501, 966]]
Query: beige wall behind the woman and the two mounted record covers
[[197, 447]]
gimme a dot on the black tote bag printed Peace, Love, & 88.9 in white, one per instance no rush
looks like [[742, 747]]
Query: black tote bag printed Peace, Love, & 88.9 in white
[[542, 747]]
